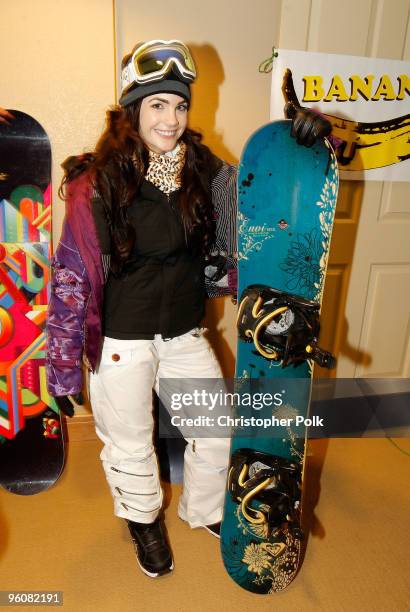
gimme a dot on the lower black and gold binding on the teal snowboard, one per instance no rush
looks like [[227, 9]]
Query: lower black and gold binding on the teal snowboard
[[267, 488]]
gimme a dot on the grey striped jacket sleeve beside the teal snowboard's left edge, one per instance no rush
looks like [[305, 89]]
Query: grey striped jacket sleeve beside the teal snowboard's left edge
[[221, 268]]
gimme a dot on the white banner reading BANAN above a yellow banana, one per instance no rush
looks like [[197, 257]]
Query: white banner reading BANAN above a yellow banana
[[367, 101]]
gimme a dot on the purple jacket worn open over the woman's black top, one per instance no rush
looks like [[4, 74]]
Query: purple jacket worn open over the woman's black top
[[74, 329]]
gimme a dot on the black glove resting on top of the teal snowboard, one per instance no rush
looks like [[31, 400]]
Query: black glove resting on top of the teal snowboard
[[307, 126]]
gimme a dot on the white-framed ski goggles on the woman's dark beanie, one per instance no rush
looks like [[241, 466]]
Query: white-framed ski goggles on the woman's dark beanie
[[153, 60]]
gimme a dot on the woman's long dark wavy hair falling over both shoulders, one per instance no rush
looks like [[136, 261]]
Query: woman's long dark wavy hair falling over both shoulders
[[118, 166]]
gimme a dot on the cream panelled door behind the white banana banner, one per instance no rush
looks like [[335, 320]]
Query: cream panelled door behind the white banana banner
[[366, 313]]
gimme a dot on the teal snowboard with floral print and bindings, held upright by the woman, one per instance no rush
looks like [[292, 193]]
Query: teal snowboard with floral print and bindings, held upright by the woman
[[287, 197]]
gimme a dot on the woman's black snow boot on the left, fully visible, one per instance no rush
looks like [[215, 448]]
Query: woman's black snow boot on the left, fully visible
[[153, 552]]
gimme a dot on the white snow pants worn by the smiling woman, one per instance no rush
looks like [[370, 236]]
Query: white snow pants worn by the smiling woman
[[121, 399]]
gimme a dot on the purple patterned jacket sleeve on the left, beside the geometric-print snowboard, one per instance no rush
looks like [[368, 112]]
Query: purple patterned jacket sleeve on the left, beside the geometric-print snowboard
[[70, 290]]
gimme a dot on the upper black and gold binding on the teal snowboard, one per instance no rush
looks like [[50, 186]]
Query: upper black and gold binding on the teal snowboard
[[283, 327]]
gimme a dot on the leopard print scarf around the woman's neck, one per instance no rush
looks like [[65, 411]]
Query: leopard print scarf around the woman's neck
[[164, 170]]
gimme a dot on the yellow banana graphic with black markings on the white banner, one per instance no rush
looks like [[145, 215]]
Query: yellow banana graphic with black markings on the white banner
[[364, 145]]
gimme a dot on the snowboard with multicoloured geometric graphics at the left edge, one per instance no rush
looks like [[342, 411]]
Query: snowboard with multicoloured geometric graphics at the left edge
[[31, 437]]
